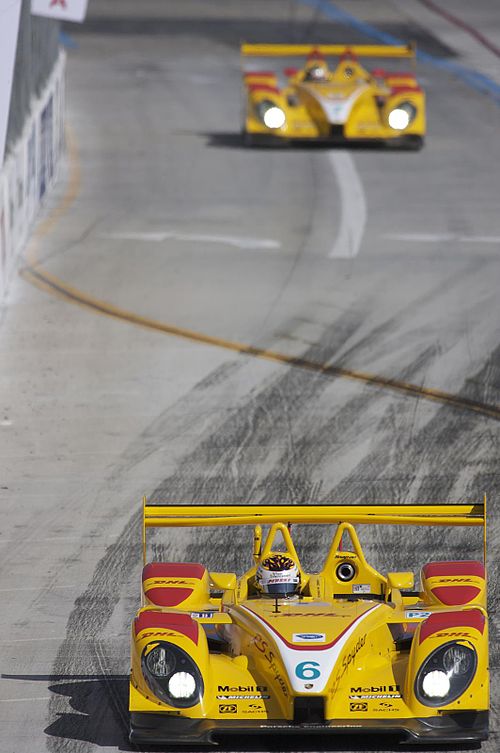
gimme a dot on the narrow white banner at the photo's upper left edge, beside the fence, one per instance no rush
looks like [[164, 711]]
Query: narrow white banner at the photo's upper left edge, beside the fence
[[9, 27]]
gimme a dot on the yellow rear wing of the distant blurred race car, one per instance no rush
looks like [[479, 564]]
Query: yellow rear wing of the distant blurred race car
[[334, 50]]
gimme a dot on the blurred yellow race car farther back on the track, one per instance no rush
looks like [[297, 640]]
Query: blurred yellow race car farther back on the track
[[346, 103]]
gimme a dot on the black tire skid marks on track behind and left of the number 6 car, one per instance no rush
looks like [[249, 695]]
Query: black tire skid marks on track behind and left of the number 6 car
[[269, 448]]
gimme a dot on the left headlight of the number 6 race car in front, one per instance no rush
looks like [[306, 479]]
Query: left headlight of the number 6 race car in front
[[171, 674]]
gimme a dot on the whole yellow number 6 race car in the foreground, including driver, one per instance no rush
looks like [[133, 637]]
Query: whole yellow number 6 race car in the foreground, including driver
[[282, 650]]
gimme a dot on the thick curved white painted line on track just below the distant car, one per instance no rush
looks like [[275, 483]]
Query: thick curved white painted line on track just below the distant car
[[352, 206]]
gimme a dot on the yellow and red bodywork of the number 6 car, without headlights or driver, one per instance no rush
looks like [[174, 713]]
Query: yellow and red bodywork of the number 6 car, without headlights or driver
[[356, 645]]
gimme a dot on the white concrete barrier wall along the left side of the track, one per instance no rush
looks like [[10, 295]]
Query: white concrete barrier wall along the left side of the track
[[30, 170]]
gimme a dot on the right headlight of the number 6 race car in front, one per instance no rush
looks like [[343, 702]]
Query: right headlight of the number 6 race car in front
[[445, 674]]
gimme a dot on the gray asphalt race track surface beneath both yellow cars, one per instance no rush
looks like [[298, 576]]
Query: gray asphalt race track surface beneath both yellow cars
[[175, 221]]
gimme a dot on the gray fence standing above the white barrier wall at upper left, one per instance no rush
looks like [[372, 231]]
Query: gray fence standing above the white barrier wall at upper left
[[37, 52]]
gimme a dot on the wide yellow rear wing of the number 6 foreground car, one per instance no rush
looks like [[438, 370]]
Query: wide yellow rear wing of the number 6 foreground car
[[185, 516]]
